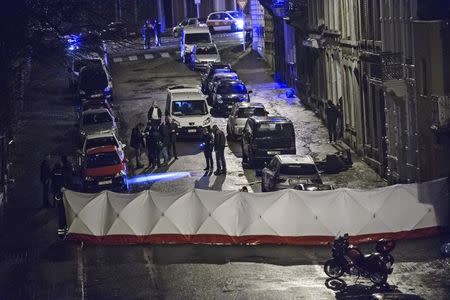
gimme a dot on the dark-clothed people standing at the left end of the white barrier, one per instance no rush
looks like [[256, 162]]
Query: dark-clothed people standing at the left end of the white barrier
[[53, 179]]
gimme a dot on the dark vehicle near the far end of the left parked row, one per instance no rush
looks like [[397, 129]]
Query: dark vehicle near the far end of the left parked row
[[94, 83]]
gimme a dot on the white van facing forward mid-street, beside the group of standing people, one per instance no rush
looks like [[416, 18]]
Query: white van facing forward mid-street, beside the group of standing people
[[188, 107]]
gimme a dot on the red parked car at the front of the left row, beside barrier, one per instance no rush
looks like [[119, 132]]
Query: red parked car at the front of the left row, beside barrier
[[103, 168]]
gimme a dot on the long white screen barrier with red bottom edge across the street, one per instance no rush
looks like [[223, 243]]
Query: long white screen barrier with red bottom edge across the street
[[282, 217]]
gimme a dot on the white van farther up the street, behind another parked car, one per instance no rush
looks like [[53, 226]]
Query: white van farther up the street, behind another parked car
[[193, 36]]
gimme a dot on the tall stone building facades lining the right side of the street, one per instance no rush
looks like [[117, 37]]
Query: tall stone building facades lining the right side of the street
[[368, 56]]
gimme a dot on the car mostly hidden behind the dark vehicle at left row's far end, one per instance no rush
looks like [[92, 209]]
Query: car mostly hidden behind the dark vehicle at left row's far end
[[80, 61]]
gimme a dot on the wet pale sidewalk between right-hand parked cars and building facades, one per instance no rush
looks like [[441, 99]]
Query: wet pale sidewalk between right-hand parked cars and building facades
[[311, 134]]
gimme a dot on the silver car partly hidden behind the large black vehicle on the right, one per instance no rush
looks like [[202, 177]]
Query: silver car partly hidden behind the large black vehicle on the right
[[238, 117]]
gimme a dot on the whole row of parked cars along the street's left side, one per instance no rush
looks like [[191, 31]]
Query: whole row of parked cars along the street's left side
[[101, 160]]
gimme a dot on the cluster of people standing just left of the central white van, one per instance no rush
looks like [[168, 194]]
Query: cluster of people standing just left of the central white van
[[159, 137]]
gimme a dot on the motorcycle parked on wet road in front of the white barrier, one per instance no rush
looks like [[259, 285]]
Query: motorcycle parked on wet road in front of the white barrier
[[349, 259]]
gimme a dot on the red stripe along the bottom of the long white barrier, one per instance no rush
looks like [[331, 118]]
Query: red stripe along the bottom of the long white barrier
[[218, 239]]
